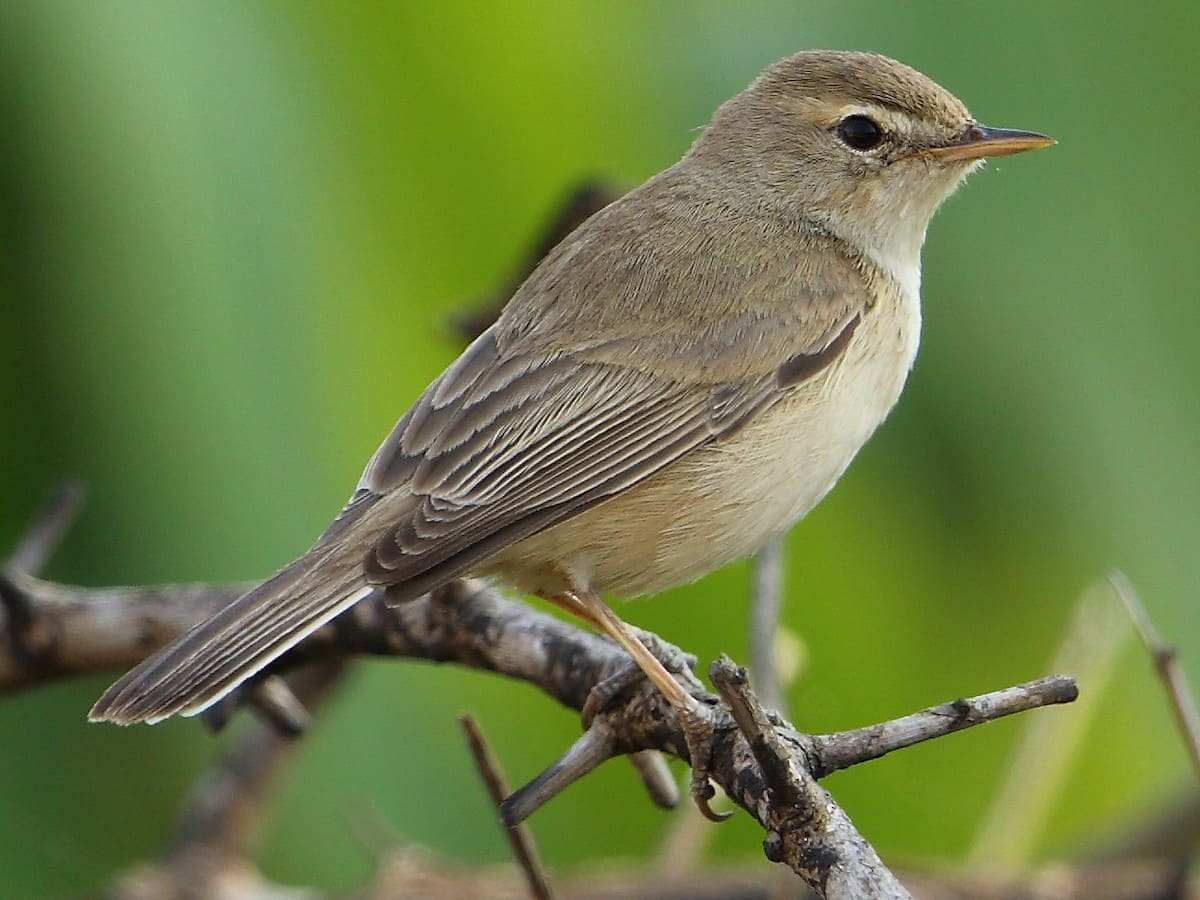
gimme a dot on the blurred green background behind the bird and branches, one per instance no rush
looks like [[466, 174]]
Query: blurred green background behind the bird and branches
[[232, 237]]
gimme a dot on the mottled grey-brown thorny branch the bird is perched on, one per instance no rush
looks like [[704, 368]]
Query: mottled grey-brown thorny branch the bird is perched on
[[471, 625]]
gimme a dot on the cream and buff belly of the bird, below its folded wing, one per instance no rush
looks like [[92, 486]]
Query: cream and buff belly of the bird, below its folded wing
[[725, 500]]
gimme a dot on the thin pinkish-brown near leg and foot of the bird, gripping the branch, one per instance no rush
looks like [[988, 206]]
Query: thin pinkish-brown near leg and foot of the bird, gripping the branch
[[587, 605]]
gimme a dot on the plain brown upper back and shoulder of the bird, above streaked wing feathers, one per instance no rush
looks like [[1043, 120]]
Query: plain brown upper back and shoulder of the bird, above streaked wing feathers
[[689, 279]]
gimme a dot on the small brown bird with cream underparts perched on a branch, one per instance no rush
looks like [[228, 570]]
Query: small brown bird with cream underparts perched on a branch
[[682, 379]]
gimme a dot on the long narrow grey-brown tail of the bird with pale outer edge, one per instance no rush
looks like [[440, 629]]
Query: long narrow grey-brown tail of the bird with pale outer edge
[[217, 656]]
